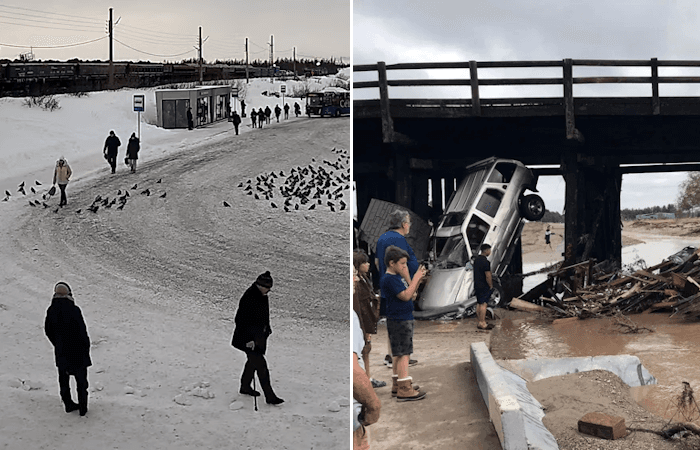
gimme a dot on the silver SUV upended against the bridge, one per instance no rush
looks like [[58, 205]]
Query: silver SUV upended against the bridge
[[488, 208]]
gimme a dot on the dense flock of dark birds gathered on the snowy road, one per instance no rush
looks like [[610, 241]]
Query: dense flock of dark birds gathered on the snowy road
[[315, 185]]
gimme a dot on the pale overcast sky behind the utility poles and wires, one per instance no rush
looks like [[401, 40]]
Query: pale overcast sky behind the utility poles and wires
[[160, 30]]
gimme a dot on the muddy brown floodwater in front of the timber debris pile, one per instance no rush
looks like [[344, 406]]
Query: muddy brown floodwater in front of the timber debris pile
[[671, 353]]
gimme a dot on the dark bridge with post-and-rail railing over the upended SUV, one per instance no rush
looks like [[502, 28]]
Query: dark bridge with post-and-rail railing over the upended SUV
[[400, 145]]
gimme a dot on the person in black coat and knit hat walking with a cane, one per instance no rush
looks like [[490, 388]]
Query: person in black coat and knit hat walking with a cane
[[250, 336]]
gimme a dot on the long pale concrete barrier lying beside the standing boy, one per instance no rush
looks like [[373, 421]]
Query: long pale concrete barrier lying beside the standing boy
[[515, 413]]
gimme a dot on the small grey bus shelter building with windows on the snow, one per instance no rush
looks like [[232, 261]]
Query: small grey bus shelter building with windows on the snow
[[209, 104]]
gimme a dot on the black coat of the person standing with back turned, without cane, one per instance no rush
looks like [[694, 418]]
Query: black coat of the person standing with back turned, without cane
[[65, 328]]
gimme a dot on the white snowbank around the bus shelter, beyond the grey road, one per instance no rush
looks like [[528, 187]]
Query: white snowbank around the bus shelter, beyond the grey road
[[32, 139]]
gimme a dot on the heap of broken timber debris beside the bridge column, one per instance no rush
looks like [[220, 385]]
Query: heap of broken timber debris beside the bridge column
[[587, 289]]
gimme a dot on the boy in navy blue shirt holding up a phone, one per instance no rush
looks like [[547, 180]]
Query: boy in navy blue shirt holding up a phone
[[398, 295]]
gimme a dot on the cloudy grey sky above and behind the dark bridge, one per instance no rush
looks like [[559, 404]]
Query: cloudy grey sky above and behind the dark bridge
[[514, 30]]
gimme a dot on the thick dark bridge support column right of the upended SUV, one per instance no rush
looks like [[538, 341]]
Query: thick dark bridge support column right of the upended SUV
[[592, 208]]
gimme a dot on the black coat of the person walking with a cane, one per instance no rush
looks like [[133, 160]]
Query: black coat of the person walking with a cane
[[252, 321]]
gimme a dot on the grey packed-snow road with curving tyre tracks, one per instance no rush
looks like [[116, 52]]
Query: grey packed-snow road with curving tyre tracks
[[159, 282]]
